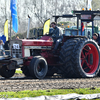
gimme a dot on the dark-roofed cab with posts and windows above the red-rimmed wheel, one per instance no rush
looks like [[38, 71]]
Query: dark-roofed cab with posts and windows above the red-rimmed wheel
[[86, 17]]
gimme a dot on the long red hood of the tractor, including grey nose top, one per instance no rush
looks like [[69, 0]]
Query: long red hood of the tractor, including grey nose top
[[44, 41]]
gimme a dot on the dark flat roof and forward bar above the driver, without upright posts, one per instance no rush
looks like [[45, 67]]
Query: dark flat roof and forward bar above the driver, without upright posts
[[85, 15]]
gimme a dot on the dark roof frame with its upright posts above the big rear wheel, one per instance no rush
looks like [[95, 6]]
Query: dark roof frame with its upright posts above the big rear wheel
[[83, 15]]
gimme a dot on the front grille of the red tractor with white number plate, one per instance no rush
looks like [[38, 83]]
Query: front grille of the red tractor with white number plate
[[16, 49]]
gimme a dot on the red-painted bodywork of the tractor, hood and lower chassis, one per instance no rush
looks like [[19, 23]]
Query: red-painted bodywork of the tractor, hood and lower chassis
[[47, 54]]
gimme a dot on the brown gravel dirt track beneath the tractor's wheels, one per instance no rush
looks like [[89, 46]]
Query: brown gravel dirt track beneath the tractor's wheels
[[19, 82]]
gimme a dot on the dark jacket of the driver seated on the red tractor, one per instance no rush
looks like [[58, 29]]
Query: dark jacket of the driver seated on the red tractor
[[56, 34]]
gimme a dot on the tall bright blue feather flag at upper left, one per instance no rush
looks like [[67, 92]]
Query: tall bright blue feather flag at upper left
[[13, 8]]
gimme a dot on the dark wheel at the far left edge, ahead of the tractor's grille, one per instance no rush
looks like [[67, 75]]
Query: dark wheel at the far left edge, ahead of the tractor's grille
[[5, 72]]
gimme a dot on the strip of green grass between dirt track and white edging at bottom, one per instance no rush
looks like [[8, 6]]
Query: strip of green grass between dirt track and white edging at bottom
[[35, 93]]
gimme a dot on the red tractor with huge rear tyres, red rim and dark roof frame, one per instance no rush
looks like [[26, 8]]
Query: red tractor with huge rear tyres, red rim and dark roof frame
[[77, 56]]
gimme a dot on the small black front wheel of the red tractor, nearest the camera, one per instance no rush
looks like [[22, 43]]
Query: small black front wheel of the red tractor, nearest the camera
[[38, 67]]
